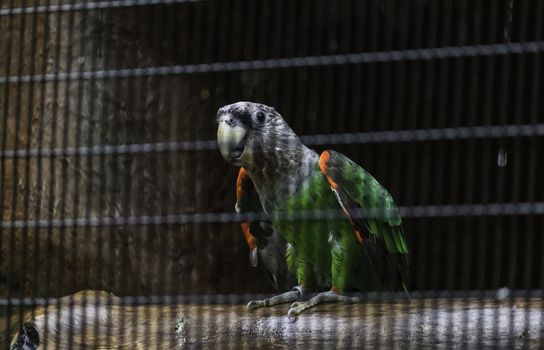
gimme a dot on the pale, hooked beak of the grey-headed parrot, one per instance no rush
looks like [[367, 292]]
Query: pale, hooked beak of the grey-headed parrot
[[232, 141]]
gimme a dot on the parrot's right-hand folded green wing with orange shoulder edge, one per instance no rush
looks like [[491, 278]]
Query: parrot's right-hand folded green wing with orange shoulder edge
[[373, 215]]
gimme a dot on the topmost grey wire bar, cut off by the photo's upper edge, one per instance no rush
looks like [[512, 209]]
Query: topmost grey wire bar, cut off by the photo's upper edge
[[88, 6]]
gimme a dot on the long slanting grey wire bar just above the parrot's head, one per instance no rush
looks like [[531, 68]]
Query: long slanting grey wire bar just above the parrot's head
[[293, 62]]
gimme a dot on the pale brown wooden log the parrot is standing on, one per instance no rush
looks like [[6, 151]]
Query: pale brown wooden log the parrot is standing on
[[517, 323]]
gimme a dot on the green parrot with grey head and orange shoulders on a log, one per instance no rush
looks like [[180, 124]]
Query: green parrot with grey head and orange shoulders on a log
[[362, 249]]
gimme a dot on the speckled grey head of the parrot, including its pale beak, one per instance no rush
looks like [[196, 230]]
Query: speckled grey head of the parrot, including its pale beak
[[248, 131]]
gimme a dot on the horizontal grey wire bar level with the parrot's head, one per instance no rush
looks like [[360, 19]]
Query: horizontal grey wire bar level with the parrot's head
[[461, 133]]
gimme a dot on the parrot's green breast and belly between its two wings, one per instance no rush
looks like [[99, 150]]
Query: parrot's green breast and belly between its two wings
[[296, 200]]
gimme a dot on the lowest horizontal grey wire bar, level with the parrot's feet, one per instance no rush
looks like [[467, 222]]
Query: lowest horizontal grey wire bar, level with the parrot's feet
[[206, 299]]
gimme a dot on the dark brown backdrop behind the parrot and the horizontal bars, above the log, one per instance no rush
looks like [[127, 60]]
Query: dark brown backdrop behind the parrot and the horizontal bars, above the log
[[474, 252]]
